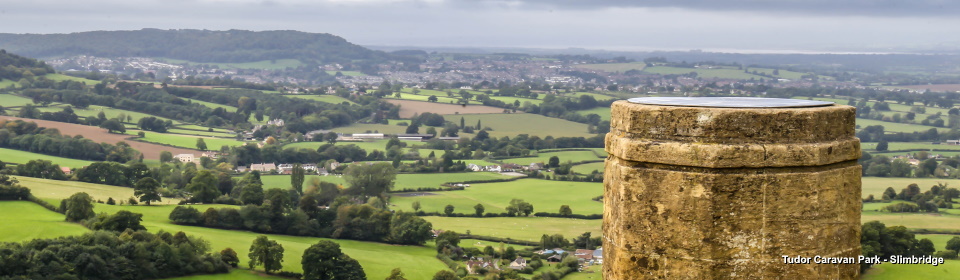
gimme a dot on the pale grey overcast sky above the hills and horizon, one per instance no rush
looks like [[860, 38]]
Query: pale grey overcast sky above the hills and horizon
[[839, 25]]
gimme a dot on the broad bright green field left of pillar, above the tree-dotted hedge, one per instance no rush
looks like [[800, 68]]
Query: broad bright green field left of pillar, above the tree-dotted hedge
[[544, 195]]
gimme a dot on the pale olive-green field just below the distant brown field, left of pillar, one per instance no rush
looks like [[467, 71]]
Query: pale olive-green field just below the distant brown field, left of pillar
[[531, 124]]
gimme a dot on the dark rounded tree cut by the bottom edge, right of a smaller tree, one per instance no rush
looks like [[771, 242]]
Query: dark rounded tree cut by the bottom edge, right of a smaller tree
[[325, 260]]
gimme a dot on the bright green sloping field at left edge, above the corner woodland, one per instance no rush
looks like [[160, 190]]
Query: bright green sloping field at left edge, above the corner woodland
[[24, 220]]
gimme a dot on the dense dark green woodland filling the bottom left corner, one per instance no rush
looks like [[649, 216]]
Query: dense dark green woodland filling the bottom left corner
[[109, 255]]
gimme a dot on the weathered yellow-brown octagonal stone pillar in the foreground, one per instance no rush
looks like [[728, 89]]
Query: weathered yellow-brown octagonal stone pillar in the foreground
[[722, 188]]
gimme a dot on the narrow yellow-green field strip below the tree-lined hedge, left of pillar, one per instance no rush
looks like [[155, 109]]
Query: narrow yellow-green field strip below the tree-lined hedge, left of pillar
[[529, 229]]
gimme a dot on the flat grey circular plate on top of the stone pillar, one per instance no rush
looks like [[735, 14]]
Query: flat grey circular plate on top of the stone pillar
[[729, 102]]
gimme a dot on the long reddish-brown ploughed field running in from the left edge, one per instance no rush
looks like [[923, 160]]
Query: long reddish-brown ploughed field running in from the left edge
[[149, 150]]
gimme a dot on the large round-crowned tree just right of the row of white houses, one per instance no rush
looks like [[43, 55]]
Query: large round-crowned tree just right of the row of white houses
[[370, 179]]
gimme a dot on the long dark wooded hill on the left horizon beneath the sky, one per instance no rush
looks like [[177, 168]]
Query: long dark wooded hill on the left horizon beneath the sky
[[193, 45]]
